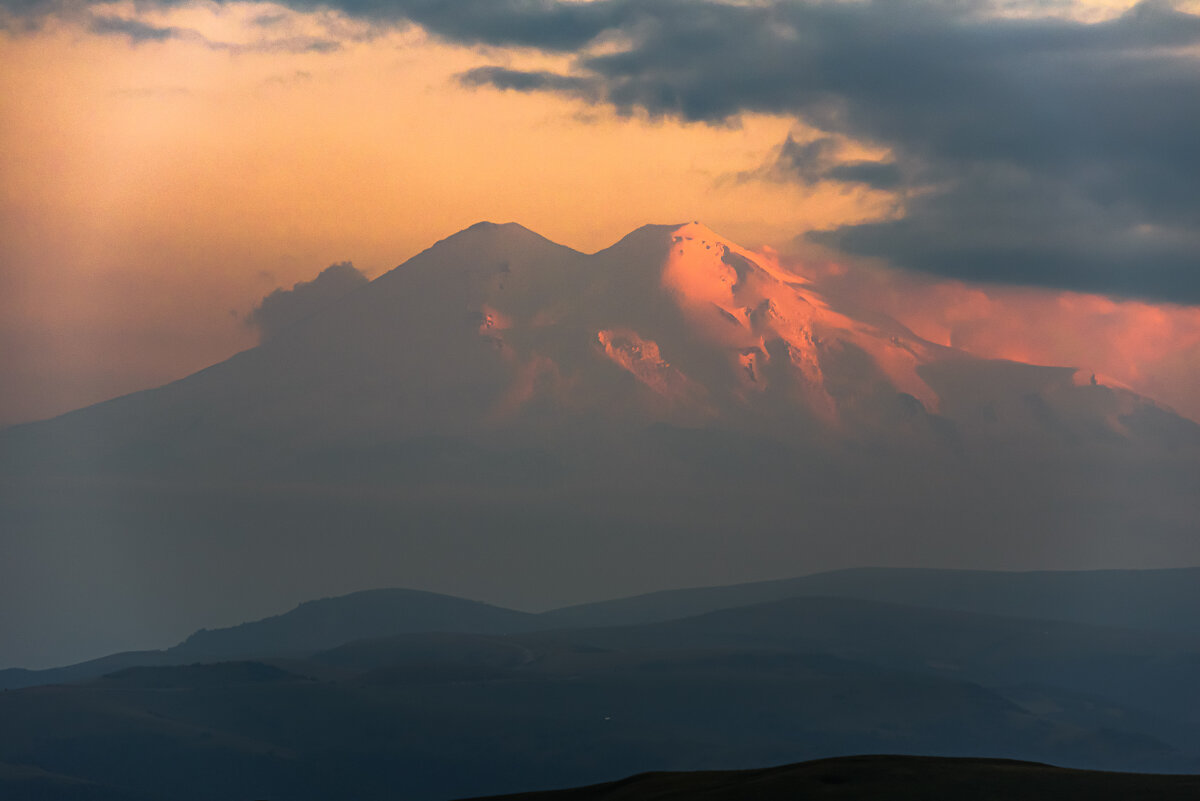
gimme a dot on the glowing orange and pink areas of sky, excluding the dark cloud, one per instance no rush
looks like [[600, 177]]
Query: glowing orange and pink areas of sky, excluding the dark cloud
[[153, 194]]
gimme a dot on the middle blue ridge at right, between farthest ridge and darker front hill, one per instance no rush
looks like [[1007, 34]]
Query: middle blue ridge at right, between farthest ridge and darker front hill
[[1137, 670]]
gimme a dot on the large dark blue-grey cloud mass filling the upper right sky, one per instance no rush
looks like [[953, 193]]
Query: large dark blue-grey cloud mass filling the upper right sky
[[1041, 152]]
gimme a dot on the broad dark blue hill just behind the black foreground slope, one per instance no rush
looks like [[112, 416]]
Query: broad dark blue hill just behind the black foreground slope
[[441, 728]]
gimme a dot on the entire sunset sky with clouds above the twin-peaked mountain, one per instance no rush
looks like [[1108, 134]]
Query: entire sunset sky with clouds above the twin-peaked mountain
[[1015, 178]]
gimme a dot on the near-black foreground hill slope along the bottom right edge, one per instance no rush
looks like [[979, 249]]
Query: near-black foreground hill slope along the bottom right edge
[[869, 779]]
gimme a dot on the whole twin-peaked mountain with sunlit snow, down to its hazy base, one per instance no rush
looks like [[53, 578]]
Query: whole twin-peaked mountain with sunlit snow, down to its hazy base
[[508, 419]]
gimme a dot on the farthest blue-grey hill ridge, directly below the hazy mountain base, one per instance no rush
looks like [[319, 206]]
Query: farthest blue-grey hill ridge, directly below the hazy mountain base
[[1154, 601]]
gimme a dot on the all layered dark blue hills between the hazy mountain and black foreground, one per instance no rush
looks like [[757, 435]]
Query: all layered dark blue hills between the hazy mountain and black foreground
[[398, 694]]
